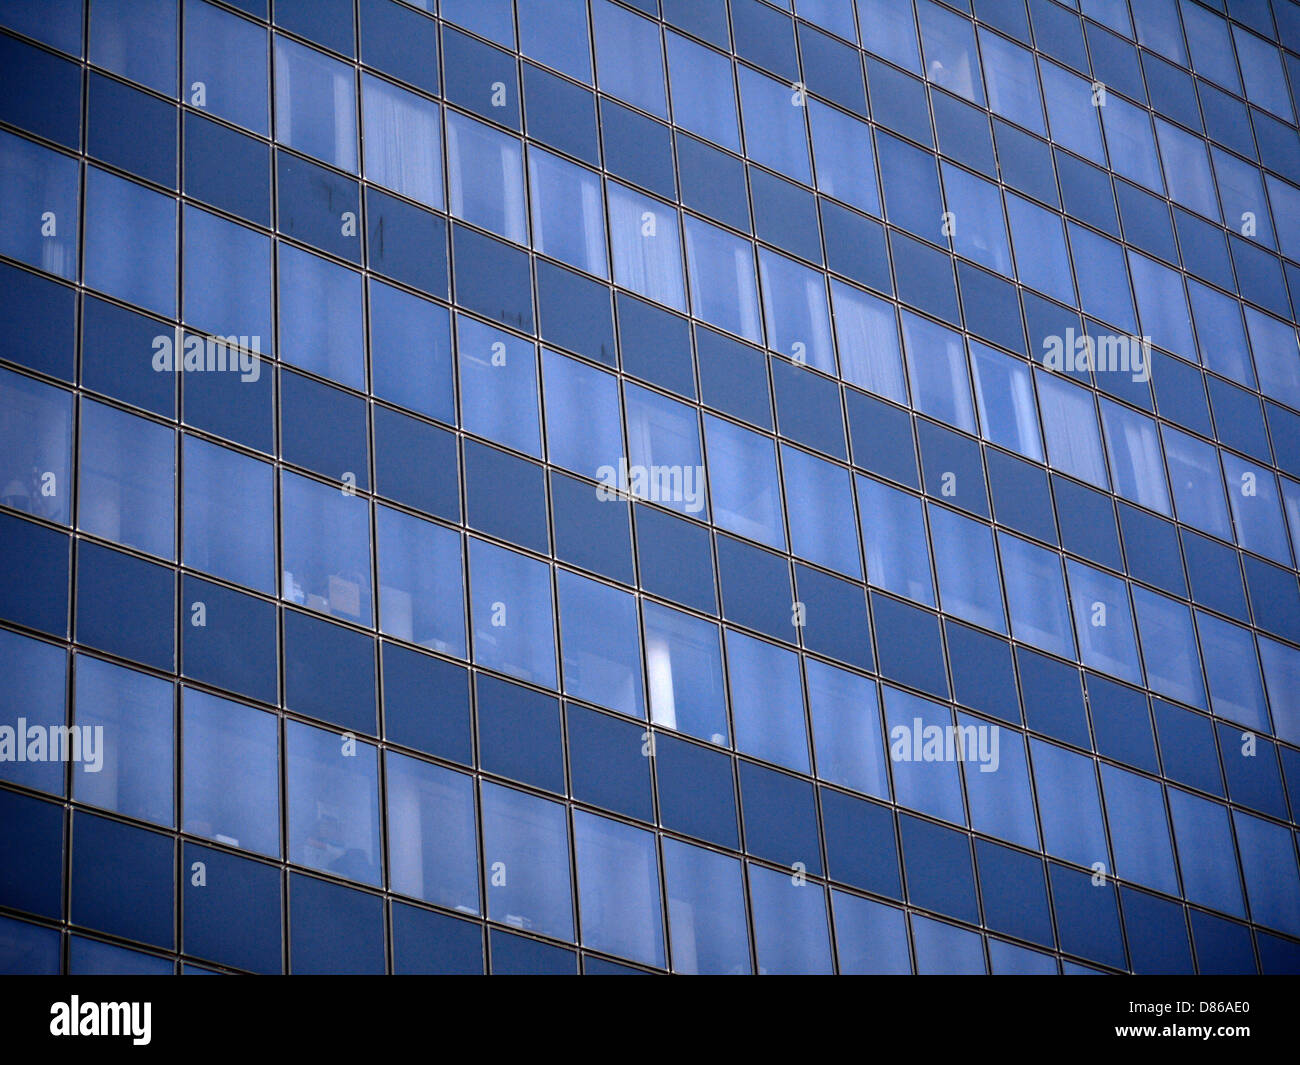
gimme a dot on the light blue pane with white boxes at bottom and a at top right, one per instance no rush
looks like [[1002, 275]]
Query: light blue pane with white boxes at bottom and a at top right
[[326, 546]]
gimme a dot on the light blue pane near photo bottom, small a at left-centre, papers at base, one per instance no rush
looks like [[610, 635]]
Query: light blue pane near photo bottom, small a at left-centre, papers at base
[[527, 861]]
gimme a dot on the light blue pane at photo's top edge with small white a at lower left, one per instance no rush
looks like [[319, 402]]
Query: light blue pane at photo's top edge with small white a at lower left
[[226, 66]]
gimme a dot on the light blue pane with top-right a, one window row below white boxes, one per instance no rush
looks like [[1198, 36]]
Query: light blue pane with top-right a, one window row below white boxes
[[333, 800]]
